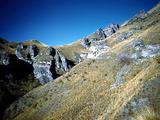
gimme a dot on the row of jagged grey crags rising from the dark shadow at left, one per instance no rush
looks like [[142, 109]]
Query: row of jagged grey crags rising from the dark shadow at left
[[48, 64]]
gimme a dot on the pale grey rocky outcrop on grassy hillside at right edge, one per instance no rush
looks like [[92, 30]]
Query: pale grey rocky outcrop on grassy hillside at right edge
[[138, 51]]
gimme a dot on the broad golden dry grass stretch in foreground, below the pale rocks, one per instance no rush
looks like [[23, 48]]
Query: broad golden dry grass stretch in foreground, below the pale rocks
[[85, 94]]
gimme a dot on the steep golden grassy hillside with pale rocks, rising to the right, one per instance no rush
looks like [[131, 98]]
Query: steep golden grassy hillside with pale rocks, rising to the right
[[117, 77]]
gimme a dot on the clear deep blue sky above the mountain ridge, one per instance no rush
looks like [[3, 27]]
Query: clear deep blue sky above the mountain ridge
[[58, 22]]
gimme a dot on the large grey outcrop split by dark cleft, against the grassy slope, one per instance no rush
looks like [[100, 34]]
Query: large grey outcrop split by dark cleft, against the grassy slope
[[49, 64]]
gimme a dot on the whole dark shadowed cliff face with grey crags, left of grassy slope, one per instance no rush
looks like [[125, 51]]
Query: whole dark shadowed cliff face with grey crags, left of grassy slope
[[27, 67]]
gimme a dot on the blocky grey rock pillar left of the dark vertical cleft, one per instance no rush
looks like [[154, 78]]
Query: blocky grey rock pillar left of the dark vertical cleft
[[43, 66]]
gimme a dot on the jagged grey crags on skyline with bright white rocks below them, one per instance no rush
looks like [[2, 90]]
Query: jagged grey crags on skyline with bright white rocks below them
[[95, 45]]
